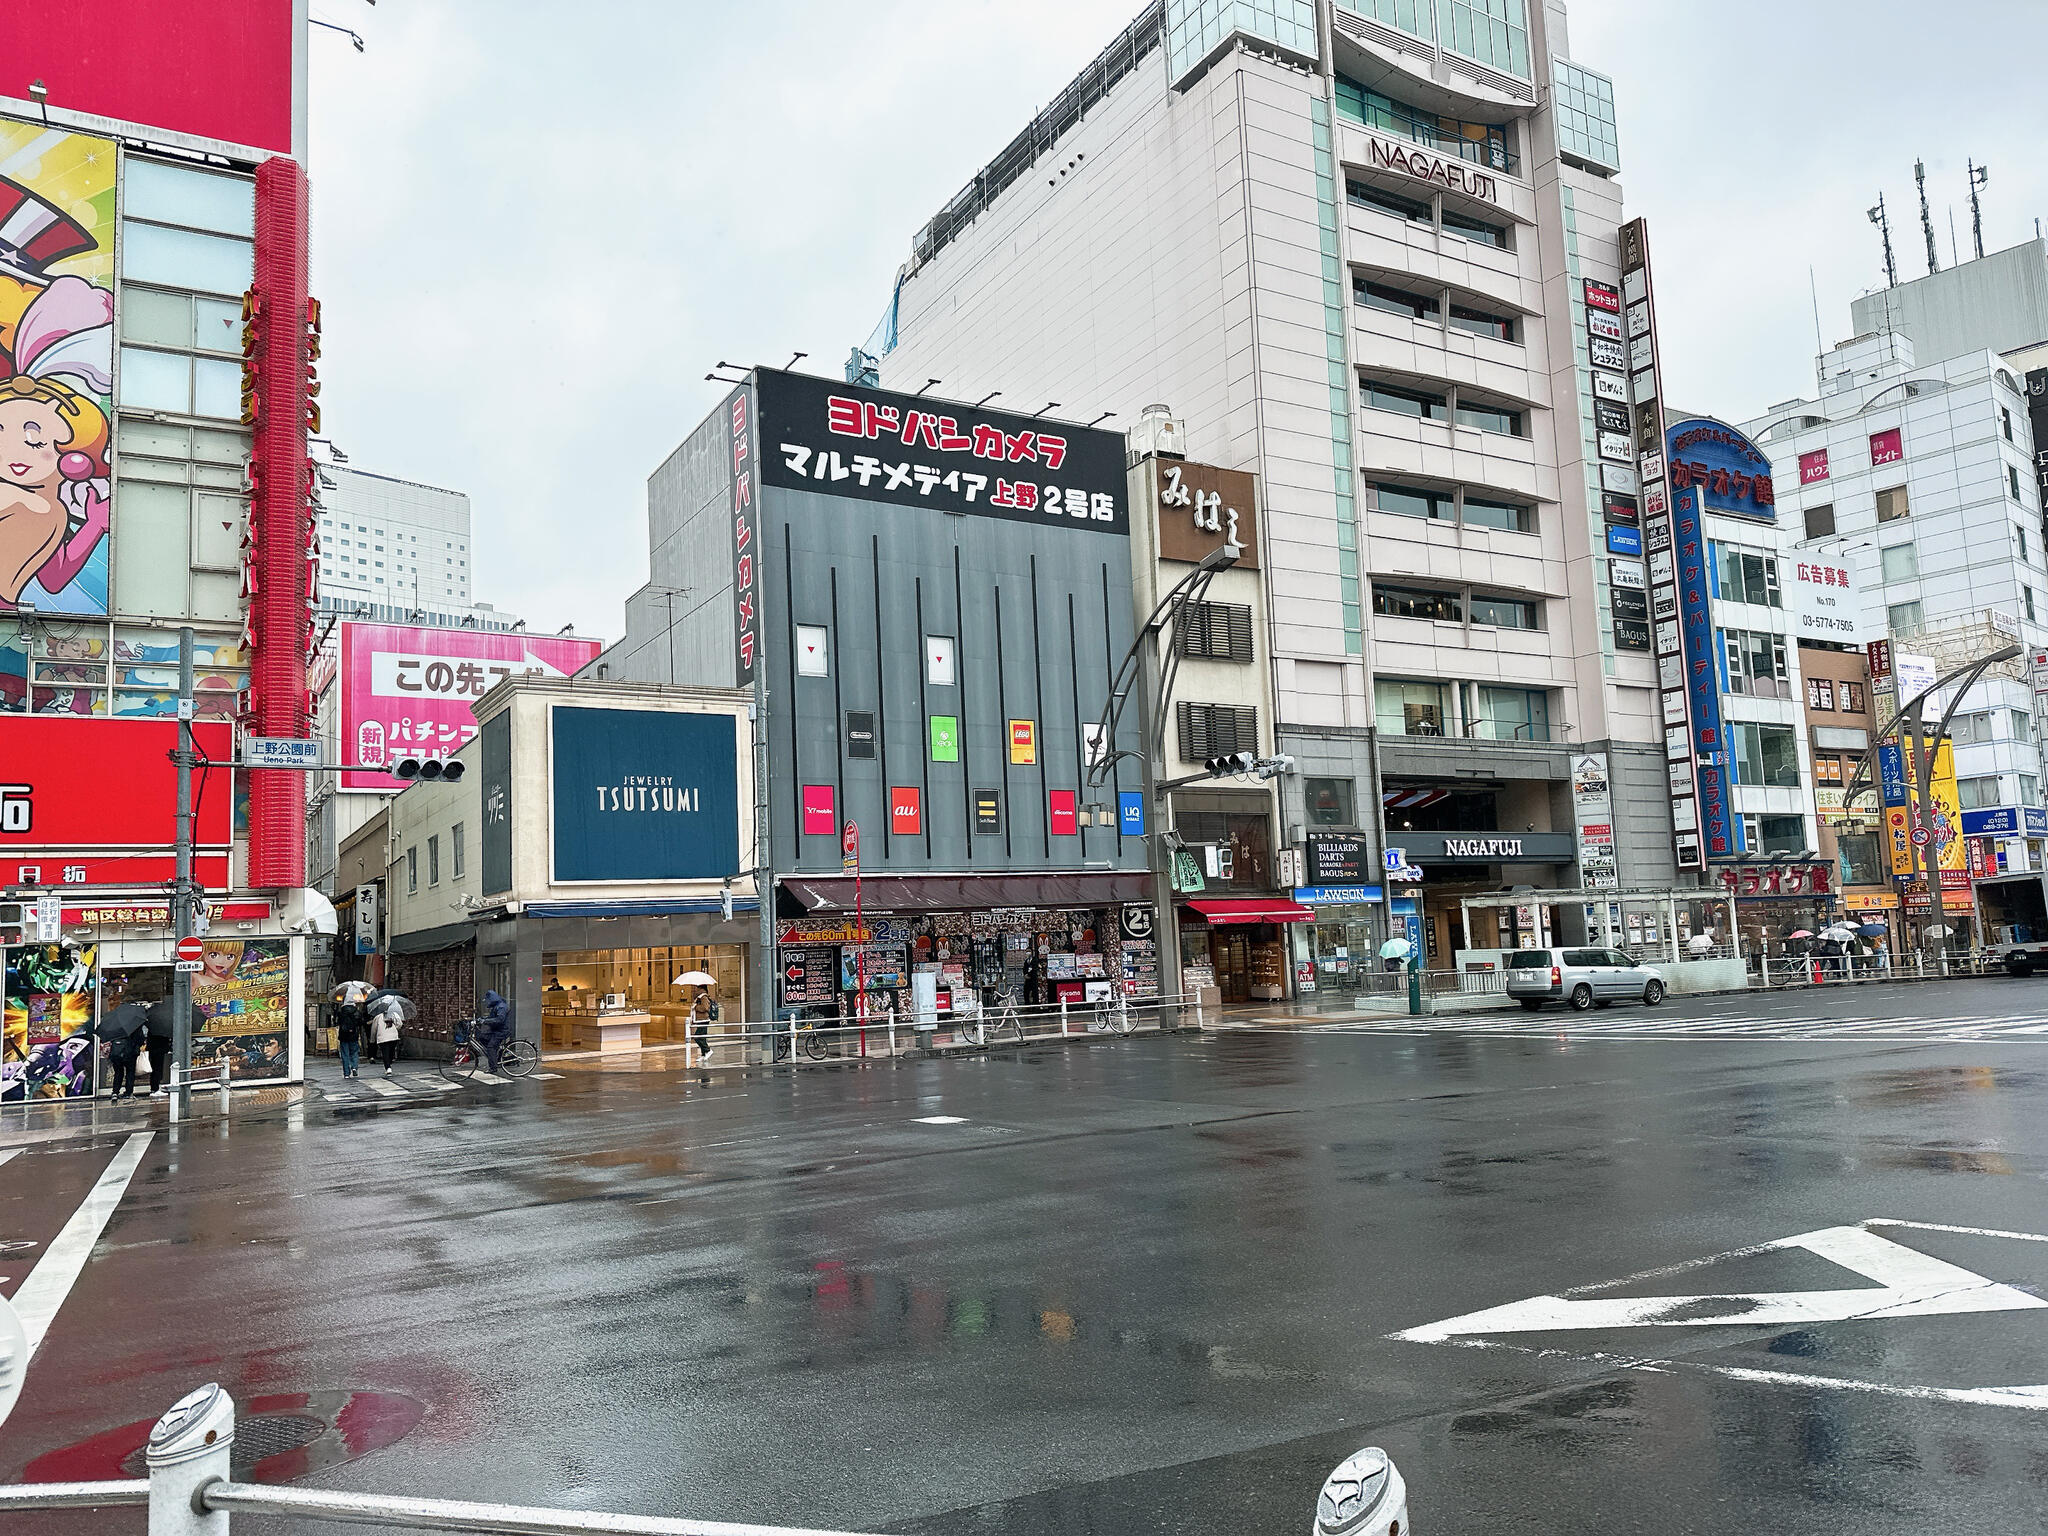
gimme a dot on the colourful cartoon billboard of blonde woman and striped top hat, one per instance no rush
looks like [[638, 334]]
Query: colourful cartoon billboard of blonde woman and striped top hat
[[56, 368]]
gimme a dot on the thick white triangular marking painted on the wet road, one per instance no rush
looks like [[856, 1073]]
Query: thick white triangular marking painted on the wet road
[[1910, 1285]]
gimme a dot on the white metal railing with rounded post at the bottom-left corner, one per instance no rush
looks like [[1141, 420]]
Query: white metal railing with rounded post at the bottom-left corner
[[191, 1492]]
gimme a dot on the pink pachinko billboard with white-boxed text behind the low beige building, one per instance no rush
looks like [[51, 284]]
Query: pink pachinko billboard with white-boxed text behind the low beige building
[[411, 693]]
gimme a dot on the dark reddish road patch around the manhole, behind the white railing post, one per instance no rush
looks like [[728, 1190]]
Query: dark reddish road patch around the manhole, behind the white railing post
[[278, 1439]]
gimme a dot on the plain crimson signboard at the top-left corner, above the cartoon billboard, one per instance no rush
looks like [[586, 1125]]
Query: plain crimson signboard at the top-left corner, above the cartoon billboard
[[214, 69]]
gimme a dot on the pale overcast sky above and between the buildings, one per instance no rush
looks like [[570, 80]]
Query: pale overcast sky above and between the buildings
[[538, 226]]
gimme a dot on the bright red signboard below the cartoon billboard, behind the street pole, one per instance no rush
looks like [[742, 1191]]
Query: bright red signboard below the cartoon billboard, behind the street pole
[[81, 783]]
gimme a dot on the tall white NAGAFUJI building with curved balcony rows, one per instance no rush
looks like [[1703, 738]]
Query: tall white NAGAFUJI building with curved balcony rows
[[1351, 247]]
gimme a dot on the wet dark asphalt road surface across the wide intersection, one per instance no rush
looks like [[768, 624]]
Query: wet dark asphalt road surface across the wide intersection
[[1142, 1287]]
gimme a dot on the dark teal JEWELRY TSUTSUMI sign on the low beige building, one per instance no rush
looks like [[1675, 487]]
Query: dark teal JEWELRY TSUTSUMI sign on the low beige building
[[644, 796]]
